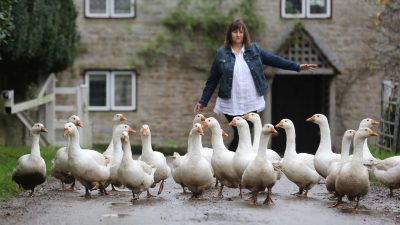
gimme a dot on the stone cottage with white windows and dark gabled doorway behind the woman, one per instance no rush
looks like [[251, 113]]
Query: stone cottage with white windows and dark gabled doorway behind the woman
[[331, 33]]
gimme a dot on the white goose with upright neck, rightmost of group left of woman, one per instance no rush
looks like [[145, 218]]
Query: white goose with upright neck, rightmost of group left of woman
[[154, 158]]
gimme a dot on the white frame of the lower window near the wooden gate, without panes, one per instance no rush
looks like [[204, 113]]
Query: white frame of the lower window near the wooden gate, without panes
[[110, 90]]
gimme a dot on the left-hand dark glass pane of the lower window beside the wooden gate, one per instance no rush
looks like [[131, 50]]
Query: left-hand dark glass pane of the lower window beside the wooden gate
[[97, 90]]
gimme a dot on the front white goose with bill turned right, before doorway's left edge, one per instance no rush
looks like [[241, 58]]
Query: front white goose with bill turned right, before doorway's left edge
[[260, 173]]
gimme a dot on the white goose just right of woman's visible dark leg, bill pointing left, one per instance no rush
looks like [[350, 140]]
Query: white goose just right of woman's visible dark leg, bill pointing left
[[244, 152]]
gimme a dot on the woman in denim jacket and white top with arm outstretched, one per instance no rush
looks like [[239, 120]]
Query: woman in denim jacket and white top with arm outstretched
[[238, 69]]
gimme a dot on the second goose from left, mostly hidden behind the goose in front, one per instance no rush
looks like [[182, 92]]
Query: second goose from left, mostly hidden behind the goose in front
[[60, 168]]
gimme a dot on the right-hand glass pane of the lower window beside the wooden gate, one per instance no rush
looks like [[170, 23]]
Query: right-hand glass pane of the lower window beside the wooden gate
[[123, 90]]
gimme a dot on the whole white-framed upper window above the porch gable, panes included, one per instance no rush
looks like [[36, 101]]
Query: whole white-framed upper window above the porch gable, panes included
[[306, 8]]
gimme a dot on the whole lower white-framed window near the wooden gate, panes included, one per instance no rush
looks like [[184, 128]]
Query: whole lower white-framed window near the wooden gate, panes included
[[111, 90]]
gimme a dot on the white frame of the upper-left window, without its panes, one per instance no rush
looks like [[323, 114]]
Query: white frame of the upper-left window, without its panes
[[110, 10]]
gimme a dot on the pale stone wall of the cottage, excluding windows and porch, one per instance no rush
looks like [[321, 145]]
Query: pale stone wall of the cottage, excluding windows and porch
[[166, 93]]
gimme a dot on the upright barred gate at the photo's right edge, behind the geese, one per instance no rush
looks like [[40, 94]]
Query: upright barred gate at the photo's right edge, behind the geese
[[389, 126]]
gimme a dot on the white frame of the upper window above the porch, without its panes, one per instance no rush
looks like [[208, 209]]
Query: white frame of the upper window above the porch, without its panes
[[305, 11]]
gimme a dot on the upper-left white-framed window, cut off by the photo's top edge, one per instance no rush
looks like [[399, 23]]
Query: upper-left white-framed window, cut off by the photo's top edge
[[110, 8]]
